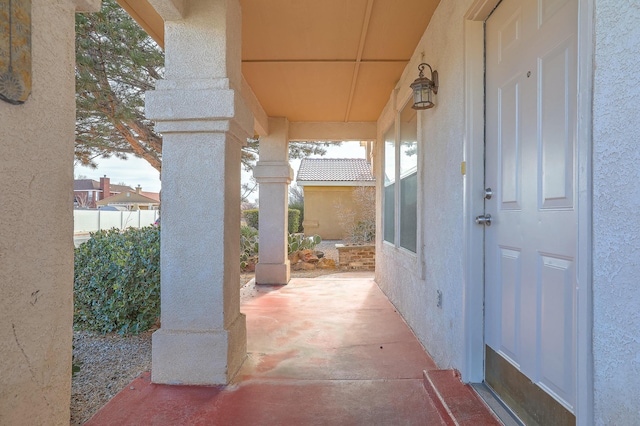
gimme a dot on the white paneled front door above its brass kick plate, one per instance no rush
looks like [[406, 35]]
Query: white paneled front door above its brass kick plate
[[531, 245]]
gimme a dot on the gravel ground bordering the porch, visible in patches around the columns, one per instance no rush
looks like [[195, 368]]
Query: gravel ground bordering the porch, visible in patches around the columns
[[110, 362]]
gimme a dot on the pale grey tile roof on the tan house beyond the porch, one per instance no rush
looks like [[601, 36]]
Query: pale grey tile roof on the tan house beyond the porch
[[335, 170]]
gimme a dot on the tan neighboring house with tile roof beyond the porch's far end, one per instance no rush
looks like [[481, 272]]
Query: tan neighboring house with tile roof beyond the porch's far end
[[328, 185]]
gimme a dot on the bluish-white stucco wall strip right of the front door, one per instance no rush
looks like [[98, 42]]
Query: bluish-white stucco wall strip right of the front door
[[616, 213]]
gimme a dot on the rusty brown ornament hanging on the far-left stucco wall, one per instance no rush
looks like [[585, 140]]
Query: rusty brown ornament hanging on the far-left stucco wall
[[15, 50]]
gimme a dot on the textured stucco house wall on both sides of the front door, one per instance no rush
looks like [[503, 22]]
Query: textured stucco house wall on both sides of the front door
[[616, 203]]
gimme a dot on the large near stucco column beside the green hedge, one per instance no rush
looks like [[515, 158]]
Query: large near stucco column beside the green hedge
[[204, 122]]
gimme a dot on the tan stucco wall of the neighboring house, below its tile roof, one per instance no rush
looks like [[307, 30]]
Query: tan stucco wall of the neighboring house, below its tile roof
[[321, 214]]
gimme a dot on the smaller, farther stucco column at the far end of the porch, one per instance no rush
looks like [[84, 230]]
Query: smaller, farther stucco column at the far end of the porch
[[274, 174]]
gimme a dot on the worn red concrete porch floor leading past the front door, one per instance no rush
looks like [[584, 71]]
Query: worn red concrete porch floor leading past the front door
[[330, 350]]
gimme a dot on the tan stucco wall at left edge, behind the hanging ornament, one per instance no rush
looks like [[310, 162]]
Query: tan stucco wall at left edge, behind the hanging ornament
[[36, 228]]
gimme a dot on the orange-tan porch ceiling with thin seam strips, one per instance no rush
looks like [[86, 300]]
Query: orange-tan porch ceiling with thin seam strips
[[330, 60]]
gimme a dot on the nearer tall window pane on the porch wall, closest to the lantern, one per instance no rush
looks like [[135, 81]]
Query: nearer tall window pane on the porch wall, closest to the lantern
[[408, 175]]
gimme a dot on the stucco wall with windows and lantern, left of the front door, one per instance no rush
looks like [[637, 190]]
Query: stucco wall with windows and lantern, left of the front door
[[412, 281]]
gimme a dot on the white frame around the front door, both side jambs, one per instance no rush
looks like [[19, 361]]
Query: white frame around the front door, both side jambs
[[473, 156]]
